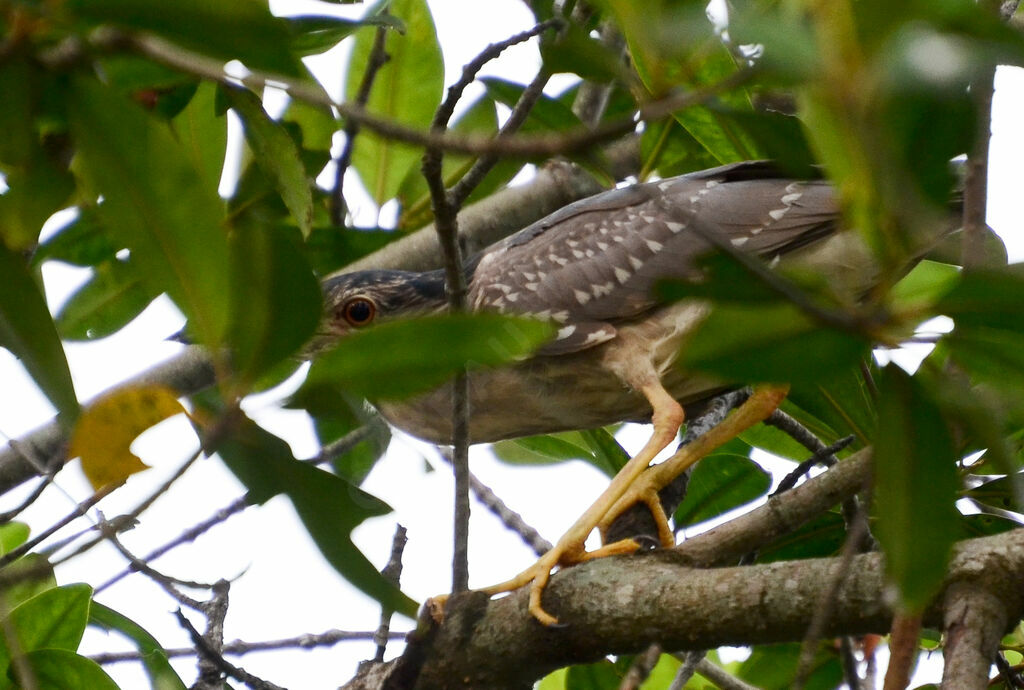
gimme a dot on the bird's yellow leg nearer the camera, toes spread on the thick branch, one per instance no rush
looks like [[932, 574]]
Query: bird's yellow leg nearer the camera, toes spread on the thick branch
[[668, 417]]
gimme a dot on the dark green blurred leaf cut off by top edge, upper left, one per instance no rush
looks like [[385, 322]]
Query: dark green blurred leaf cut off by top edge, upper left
[[243, 30]]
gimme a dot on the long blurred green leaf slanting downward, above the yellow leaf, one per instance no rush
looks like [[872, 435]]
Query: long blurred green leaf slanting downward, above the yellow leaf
[[156, 204]]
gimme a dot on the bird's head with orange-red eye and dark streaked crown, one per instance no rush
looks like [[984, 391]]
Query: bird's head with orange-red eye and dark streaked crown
[[355, 301]]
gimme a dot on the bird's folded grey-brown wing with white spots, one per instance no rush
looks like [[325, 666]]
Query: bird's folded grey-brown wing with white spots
[[594, 263]]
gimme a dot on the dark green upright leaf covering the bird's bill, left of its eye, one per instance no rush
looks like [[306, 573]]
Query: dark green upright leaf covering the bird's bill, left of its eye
[[277, 299]]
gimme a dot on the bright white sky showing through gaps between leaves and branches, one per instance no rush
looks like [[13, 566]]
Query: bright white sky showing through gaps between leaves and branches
[[285, 589]]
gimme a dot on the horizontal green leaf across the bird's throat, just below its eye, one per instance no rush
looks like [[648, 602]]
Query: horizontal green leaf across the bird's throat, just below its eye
[[401, 359]]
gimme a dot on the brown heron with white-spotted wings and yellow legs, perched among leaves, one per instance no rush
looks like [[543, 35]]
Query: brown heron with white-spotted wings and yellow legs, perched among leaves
[[590, 269]]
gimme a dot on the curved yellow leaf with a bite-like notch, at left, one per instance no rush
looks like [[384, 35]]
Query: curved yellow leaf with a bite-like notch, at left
[[105, 433]]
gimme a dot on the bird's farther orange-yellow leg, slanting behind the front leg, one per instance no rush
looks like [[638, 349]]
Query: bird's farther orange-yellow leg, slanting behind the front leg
[[762, 403]]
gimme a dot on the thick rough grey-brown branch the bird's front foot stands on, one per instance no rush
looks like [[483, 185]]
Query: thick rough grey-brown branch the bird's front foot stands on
[[622, 605]]
